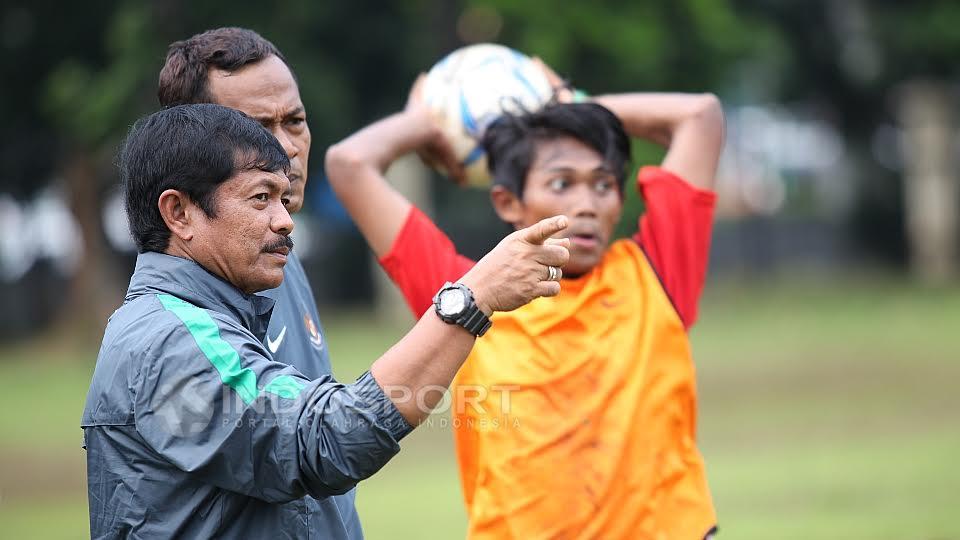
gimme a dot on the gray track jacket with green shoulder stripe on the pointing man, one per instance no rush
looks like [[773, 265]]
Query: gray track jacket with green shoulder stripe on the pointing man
[[191, 428]]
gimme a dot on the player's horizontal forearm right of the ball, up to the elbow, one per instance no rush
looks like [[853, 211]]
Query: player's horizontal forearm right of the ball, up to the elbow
[[658, 116]]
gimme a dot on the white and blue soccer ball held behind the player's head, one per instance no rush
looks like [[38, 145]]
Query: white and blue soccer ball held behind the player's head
[[471, 87]]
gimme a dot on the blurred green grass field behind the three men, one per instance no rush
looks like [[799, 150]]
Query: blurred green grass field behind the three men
[[826, 411]]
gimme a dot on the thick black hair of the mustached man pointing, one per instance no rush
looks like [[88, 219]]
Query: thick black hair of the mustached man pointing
[[192, 149]]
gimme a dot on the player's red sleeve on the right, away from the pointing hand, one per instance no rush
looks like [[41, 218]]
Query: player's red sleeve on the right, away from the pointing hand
[[675, 234]]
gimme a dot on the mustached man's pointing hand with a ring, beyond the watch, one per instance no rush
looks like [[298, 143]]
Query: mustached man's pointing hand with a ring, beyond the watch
[[518, 270]]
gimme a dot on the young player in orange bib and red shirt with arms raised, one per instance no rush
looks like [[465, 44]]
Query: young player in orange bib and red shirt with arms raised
[[582, 417]]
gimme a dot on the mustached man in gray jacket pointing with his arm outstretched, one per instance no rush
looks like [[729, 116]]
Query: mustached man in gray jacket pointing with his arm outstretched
[[191, 428]]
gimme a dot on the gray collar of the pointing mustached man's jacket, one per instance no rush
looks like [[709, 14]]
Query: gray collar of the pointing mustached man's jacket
[[161, 273]]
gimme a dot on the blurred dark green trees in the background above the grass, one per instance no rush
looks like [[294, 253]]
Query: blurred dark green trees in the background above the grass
[[78, 75]]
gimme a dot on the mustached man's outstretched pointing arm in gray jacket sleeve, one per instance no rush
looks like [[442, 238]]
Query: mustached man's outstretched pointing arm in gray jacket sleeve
[[259, 427]]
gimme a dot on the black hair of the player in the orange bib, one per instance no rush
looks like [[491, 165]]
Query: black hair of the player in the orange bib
[[510, 141]]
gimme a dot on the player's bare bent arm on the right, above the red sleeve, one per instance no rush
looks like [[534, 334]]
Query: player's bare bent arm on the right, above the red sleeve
[[689, 125]]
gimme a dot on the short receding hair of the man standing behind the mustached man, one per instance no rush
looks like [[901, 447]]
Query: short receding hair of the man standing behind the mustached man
[[184, 76]]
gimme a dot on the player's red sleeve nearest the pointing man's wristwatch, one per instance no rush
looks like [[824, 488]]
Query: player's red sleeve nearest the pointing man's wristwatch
[[421, 260]]
